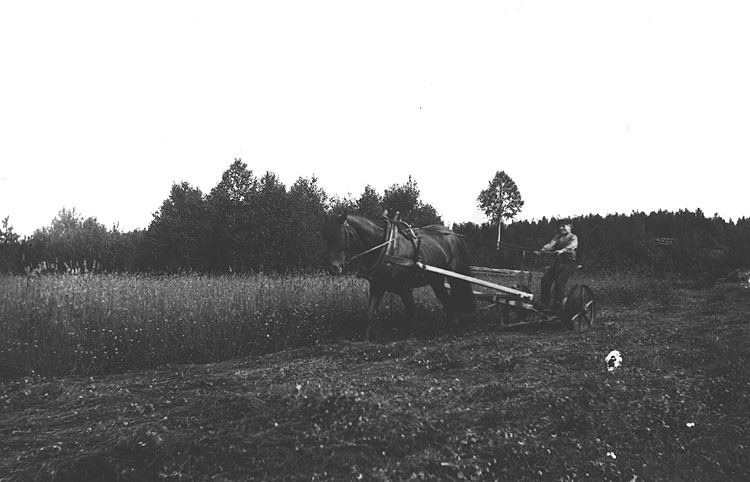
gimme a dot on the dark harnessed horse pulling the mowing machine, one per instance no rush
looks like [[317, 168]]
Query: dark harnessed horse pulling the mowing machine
[[388, 252]]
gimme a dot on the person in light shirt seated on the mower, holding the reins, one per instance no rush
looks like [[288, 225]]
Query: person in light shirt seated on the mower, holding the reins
[[563, 245]]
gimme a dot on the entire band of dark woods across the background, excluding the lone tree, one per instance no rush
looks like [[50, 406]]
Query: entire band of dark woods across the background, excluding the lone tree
[[250, 223]]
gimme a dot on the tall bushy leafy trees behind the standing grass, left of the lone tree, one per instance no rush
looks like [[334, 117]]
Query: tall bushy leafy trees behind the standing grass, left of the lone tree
[[246, 223]]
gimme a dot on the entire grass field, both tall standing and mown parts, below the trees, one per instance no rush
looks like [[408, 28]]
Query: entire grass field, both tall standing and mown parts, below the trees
[[266, 378]]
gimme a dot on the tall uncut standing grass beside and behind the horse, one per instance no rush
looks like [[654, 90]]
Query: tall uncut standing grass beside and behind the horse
[[93, 324]]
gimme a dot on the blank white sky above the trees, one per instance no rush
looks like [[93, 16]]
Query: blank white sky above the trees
[[589, 106]]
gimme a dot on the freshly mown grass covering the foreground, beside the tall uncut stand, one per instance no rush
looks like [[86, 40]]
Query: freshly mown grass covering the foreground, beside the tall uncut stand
[[485, 404]]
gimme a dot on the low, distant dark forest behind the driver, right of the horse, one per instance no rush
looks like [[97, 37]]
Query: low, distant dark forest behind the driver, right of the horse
[[661, 242]]
